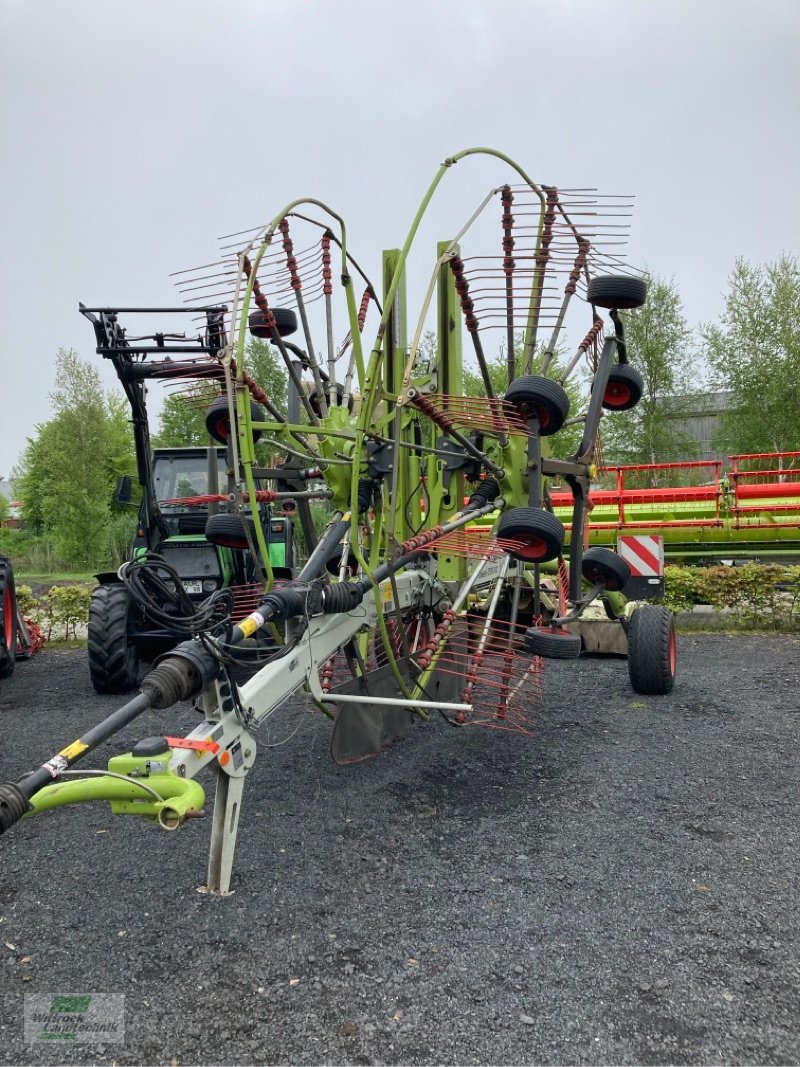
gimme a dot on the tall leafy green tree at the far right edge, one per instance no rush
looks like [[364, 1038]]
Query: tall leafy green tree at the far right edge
[[755, 354]]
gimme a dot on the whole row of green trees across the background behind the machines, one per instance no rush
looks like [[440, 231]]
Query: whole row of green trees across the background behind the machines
[[68, 473]]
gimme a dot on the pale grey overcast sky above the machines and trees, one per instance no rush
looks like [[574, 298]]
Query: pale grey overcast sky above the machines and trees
[[134, 135]]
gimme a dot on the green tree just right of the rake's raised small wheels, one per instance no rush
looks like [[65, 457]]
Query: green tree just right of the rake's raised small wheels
[[660, 345]]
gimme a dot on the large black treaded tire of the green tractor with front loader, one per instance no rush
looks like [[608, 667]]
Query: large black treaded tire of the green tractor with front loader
[[114, 659]]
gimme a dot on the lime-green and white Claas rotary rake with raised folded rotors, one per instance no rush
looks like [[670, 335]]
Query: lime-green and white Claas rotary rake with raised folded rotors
[[442, 581]]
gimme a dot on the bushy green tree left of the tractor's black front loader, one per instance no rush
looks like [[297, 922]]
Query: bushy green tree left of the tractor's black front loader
[[69, 470]]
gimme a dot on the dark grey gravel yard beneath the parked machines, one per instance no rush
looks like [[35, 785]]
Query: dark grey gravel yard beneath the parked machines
[[619, 888]]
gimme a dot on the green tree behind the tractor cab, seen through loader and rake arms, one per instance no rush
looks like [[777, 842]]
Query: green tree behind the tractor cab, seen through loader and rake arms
[[183, 415]]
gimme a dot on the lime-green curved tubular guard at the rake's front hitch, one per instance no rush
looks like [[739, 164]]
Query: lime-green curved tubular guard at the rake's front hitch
[[181, 798]]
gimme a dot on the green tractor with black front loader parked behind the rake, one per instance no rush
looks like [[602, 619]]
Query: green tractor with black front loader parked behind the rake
[[187, 519]]
